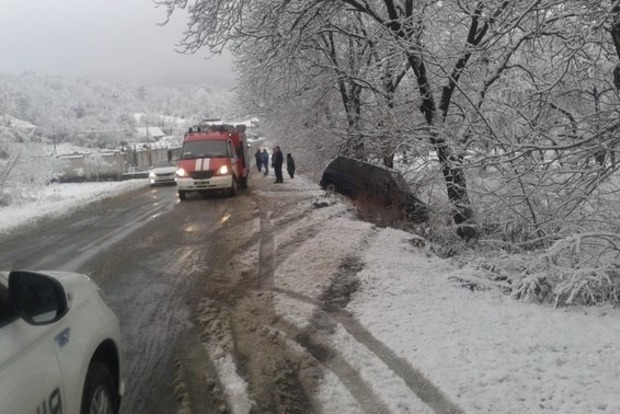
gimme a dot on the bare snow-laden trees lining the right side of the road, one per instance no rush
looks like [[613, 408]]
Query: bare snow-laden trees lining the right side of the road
[[510, 104]]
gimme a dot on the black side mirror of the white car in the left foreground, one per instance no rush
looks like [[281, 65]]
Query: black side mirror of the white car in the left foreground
[[38, 299]]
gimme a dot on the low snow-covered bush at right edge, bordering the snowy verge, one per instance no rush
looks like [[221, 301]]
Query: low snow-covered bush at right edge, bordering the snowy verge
[[579, 269]]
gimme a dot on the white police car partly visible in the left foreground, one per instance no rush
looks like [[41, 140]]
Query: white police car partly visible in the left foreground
[[59, 345]]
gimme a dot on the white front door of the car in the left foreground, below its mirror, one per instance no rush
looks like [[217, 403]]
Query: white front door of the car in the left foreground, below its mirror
[[30, 379]]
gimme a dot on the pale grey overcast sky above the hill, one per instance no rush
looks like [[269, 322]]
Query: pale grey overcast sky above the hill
[[117, 39]]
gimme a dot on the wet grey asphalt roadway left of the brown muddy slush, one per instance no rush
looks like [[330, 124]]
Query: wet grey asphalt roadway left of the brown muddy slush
[[145, 251]]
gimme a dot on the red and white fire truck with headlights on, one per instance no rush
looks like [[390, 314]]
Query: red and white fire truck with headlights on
[[214, 157]]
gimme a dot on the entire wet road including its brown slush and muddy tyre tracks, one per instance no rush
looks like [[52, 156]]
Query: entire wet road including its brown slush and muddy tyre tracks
[[194, 286]]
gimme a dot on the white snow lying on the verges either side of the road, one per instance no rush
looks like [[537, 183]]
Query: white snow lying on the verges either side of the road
[[486, 352]]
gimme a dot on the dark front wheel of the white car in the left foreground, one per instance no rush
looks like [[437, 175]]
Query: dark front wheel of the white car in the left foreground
[[99, 395]]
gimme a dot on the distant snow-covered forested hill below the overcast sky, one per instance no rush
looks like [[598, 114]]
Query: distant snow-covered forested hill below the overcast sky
[[94, 113]]
